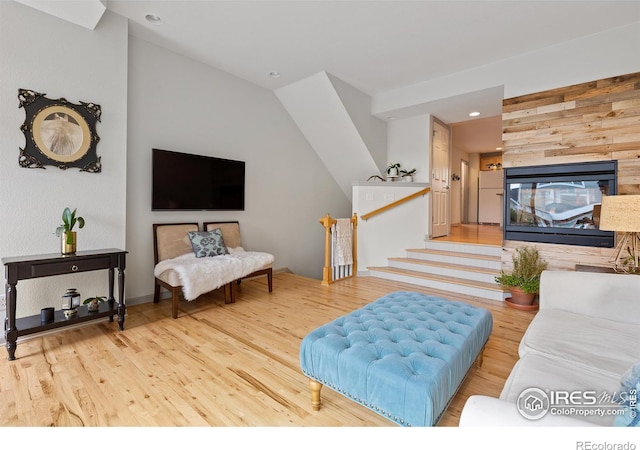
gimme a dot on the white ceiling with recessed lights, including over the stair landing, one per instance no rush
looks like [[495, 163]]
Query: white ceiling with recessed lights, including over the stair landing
[[375, 46]]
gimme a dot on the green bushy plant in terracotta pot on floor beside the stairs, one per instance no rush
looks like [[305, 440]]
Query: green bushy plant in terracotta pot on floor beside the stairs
[[524, 281]]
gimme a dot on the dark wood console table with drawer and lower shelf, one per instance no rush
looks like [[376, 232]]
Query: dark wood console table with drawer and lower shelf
[[37, 266]]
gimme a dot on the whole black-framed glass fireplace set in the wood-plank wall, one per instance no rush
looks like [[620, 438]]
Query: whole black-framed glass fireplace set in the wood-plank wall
[[558, 204]]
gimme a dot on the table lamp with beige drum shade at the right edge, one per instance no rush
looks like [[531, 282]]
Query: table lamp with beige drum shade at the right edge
[[621, 213]]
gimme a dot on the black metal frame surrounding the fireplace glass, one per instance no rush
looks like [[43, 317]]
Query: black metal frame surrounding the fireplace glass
[[601, 171]]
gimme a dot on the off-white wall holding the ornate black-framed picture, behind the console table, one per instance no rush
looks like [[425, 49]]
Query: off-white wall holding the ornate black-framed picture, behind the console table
[[55, 57]]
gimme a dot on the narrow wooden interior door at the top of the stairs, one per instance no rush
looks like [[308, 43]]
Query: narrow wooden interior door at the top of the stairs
[[440, 157]]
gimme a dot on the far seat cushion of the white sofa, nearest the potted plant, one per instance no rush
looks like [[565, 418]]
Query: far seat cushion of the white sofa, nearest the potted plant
[[604, 345]]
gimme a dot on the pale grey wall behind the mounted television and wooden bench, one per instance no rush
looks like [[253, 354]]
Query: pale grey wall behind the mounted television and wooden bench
[[176, 103]]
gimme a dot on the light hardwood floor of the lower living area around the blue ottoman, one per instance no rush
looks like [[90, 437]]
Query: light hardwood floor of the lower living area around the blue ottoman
[[217, 364]]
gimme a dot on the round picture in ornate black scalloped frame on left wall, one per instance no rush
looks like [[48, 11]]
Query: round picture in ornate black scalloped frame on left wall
[[59, 133]]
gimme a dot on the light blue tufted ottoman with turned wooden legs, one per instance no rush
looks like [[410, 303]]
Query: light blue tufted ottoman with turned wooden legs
[[402, 356]]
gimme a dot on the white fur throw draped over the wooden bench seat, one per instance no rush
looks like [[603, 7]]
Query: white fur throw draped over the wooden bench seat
[[201, 275]]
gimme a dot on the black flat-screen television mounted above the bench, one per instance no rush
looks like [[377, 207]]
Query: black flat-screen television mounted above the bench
[[185, 182]]
